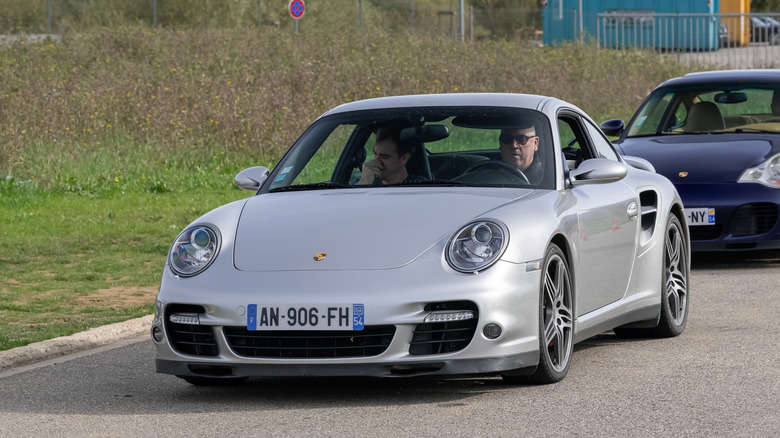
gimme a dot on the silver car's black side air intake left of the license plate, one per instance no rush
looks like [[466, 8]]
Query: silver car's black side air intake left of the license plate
[[197, 340]]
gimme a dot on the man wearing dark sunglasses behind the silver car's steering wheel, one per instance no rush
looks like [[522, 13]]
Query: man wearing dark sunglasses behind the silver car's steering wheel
[[518, 147]]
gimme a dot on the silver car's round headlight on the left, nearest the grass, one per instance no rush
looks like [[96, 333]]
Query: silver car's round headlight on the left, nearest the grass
[[193, 251]]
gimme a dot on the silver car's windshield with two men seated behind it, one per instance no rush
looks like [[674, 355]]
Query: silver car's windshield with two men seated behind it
[[419, 147]]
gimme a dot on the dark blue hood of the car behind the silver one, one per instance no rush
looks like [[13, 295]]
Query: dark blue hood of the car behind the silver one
[[700, 157]]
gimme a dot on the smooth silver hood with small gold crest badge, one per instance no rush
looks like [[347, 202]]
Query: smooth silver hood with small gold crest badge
[[378, 228]]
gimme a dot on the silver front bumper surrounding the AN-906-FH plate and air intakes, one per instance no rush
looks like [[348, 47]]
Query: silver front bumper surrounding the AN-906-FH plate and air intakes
[[506, 295]]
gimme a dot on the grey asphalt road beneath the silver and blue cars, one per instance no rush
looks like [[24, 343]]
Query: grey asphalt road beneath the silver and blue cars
[[720, 378]]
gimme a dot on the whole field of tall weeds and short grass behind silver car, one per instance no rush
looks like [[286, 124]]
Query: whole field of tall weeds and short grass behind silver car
[[112, 140]]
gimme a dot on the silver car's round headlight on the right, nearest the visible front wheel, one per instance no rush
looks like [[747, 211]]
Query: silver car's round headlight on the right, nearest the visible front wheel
[[477, 246]]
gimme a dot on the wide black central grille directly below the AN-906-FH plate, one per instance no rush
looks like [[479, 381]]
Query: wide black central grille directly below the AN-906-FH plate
[[308, 344]]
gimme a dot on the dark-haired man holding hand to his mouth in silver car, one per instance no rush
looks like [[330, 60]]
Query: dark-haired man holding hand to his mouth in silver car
[[389, 163]]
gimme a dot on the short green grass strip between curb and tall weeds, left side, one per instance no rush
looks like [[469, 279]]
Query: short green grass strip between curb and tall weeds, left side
[[69, 262]]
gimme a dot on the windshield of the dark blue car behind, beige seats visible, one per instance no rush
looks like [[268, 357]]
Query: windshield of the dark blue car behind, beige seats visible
[[716, 109]]
